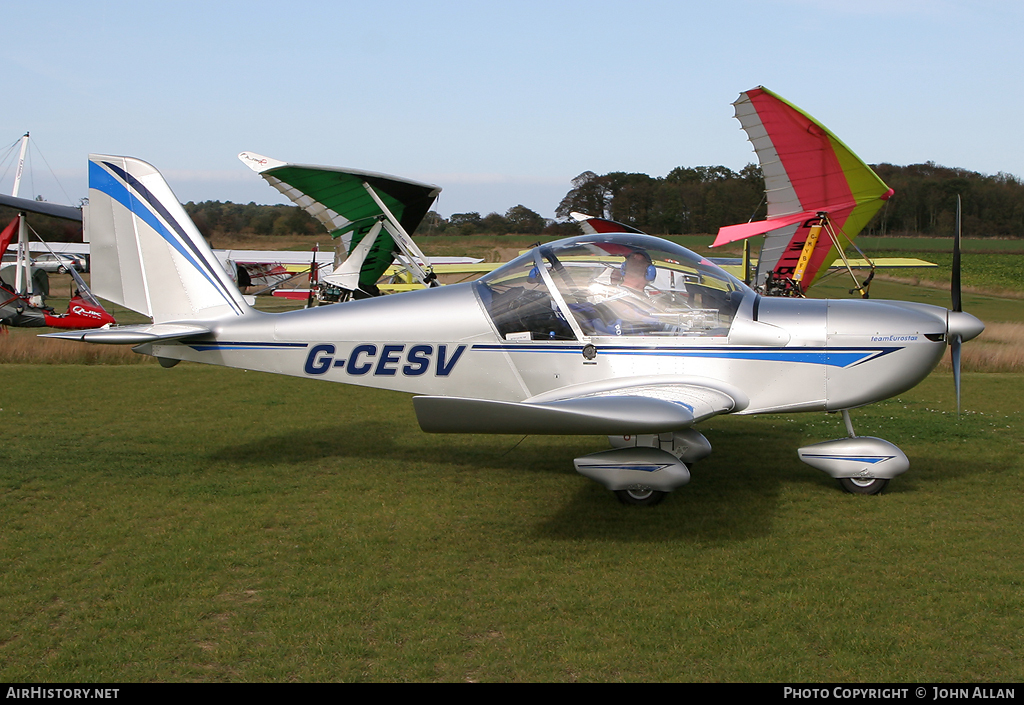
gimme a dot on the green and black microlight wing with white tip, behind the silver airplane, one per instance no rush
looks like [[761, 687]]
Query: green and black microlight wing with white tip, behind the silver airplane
[[374, 215]]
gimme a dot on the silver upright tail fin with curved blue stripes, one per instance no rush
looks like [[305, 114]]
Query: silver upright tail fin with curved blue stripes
[[147, 254]]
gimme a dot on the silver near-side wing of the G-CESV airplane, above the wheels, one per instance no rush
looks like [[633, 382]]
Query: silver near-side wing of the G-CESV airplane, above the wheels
[[637, 409]]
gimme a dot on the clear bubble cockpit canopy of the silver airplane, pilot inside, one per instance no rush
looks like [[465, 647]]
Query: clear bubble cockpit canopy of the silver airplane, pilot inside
[[611, 285]]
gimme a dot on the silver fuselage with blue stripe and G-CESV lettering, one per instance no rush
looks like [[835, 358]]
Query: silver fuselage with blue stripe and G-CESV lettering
[[781, 355]]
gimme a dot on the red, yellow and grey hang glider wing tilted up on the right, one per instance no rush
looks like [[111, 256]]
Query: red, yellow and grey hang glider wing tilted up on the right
[[807, 171]]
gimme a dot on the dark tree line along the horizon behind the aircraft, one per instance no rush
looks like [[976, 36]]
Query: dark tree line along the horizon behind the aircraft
[[689, 200]]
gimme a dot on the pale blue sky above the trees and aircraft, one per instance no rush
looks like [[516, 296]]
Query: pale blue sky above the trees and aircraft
[[499, 104]]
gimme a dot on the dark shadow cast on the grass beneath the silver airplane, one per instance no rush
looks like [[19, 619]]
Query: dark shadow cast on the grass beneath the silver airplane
[[736, 500]]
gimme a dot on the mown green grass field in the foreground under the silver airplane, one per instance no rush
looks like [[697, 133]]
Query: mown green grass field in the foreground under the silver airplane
[[205, 524]]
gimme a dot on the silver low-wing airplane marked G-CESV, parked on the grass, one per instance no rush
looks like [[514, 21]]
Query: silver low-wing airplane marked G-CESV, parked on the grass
[[619, 335]]
